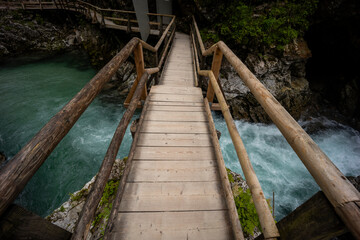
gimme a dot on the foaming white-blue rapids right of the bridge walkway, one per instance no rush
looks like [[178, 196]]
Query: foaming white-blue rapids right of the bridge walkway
[[278, 168]]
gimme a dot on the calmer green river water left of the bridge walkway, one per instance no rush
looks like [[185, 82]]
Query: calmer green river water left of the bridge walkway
[[32, 90]]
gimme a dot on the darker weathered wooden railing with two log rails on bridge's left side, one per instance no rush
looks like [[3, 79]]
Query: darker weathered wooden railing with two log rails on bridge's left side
[[20, 169]]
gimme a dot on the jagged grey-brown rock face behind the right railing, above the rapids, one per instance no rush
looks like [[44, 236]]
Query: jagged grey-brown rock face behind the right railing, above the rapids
[[283, 76]]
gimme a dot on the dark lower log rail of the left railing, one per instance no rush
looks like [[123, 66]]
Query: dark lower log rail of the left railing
[[92, 201]]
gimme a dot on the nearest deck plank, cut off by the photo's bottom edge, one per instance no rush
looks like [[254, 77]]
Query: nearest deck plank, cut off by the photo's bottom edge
[[173, 225]]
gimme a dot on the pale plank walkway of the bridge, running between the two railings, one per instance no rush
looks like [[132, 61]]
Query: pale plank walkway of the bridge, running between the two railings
[[173, 190]]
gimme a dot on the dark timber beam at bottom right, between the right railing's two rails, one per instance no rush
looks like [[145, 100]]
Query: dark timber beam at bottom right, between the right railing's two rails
[[314, 219]]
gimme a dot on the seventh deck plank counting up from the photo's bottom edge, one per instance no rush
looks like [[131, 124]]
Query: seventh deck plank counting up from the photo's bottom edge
[[175, 116]]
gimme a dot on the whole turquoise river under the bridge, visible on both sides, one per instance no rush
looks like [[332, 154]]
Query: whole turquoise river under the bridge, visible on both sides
[[32, 90]]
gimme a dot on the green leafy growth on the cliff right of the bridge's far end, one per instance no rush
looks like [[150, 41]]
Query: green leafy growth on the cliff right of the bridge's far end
[[274, 26]]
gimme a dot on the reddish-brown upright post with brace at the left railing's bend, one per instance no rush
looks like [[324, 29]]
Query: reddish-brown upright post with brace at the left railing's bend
[[140, 68]]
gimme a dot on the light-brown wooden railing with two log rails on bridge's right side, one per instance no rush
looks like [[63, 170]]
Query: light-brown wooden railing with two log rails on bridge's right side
[[340, 192]]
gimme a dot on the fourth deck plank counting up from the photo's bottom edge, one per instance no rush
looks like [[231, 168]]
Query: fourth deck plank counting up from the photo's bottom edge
[[175, 153]]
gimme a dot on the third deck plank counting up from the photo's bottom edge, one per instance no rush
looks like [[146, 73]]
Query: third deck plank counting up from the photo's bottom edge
[[173, 171]]
